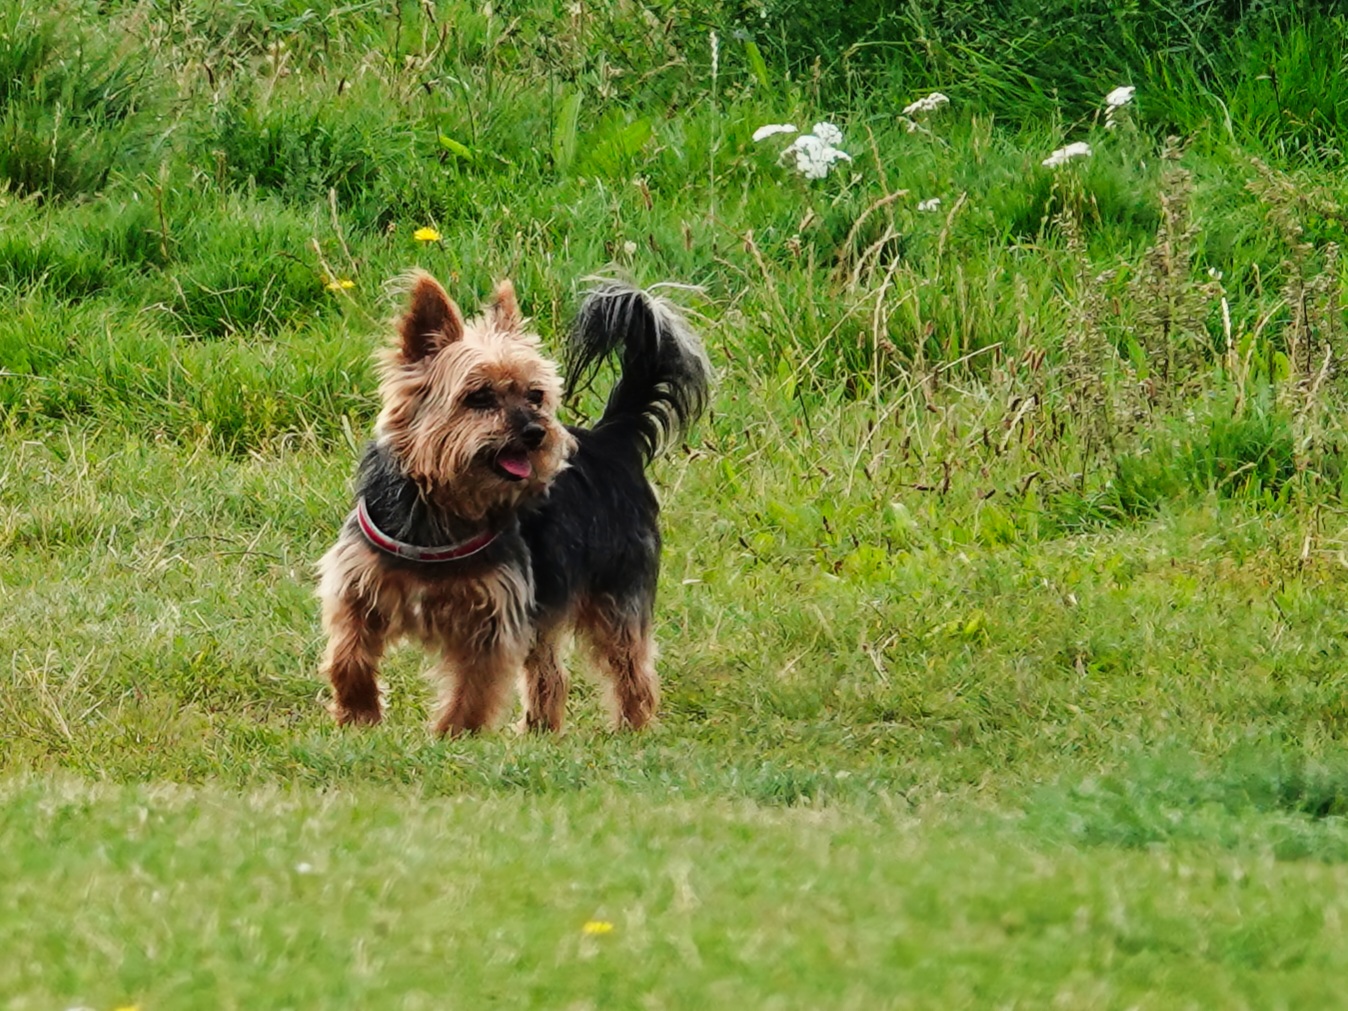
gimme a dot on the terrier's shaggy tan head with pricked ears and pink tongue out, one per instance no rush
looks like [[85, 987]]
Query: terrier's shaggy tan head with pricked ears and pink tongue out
[[470, 408]]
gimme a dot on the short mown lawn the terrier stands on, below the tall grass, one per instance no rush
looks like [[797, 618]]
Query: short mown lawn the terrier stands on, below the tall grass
[[1099, 772]]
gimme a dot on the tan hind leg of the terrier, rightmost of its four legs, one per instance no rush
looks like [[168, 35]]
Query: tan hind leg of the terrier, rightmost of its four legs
[[625, 653]]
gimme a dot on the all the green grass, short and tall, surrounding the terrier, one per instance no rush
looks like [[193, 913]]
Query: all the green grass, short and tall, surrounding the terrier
[[1002, 610]]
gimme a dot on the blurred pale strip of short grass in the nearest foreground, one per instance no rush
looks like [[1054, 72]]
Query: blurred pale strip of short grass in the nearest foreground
[[487, 900]]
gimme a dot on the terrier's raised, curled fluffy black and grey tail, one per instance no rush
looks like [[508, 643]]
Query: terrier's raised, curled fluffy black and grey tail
[[664, 374]]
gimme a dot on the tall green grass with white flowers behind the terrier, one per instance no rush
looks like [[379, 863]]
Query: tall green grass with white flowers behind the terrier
[[185, 187]]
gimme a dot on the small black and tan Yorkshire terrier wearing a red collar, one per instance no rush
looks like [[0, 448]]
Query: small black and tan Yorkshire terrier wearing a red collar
[[490, 532]]
